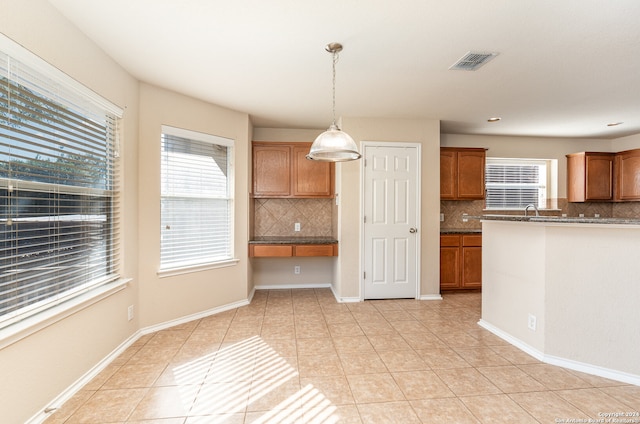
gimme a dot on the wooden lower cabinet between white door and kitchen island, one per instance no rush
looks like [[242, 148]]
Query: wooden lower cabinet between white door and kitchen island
[[460, 261]]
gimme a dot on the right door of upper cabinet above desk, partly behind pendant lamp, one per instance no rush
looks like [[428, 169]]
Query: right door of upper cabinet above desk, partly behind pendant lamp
[[311, 178]]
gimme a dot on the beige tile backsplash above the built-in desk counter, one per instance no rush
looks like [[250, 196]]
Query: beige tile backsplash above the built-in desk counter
[[277, 217]]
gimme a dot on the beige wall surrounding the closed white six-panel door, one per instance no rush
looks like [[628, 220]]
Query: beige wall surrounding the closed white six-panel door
[[425, 132]]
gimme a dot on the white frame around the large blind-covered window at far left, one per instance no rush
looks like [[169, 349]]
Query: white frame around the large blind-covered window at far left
[[24, 69]]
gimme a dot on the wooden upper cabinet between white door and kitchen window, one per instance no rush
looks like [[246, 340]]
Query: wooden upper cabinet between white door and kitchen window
[[462, 173]]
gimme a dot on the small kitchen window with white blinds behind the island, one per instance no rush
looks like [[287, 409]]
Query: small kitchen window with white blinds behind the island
[[512, 184]]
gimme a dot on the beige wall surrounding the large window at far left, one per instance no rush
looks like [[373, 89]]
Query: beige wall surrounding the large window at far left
[[40, 366]]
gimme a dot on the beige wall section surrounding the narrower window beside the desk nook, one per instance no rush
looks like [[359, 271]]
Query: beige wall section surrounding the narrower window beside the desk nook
[[169, 298]]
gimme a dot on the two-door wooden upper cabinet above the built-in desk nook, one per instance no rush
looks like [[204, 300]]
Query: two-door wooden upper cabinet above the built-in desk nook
[[282, 170]]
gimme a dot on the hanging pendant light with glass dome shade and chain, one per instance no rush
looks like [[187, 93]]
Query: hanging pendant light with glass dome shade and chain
[[334, 145]]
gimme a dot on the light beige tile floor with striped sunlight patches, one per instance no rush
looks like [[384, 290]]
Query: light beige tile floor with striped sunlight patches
[[297, 356]]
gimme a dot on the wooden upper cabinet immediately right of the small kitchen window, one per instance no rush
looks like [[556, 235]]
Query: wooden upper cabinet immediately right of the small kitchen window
[[590, 176]]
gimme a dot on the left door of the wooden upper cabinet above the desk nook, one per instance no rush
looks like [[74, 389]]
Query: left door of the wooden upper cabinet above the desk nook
[[271, 171]]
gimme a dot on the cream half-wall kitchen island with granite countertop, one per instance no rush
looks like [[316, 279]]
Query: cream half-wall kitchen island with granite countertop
[[565, 290]]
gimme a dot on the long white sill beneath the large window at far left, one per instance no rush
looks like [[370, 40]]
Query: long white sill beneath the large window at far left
[[28, 326]]
